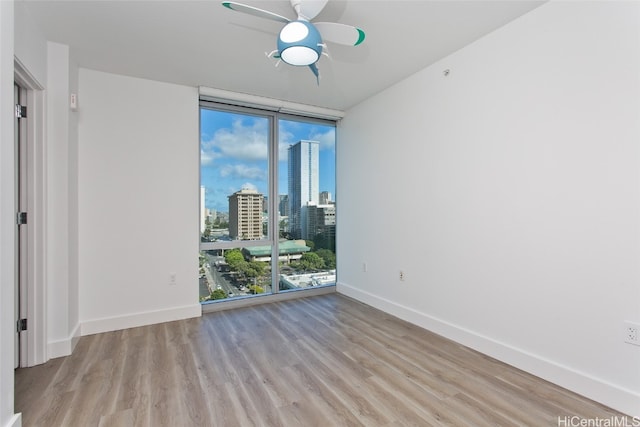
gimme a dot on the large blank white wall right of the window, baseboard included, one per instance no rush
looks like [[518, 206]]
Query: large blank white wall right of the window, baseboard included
[[509, 193]]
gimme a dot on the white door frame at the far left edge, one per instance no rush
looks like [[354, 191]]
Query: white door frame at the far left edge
[[33, 347]]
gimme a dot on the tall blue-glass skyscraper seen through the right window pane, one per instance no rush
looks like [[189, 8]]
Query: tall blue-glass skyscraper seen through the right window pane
[[304, 170]]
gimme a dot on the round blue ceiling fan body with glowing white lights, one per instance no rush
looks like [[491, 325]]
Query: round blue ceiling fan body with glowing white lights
[[299, 43]]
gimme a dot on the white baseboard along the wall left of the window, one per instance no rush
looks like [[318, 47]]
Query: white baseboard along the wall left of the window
[[96, 326]]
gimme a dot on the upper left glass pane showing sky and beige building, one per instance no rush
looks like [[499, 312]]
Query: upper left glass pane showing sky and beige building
[[234, 176]]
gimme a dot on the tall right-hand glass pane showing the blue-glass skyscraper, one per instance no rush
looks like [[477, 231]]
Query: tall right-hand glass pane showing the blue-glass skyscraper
[[307, 207]]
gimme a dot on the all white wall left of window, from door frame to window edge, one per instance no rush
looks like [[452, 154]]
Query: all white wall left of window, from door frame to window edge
[[157, 119]]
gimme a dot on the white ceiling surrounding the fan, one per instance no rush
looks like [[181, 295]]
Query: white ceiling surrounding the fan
[[201, 43]]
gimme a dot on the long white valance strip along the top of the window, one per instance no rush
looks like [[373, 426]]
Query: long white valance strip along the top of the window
[[272, 104]]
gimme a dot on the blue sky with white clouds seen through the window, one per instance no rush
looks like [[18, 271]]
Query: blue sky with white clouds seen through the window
[[233, 154]]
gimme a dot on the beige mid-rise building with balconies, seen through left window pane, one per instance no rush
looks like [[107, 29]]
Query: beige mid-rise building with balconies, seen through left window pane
[[245, 215]]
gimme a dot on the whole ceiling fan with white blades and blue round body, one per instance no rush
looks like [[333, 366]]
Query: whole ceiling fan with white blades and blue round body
[[301, 42]]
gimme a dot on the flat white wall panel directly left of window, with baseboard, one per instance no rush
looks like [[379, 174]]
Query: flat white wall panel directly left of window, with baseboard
[[138, 199]]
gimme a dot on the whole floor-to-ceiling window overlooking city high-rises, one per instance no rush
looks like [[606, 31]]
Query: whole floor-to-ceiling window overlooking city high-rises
[[267, 202]]
